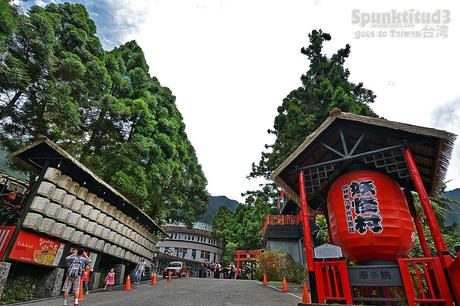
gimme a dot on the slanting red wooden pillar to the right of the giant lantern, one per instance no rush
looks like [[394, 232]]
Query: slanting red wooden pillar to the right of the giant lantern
[[433, 225]]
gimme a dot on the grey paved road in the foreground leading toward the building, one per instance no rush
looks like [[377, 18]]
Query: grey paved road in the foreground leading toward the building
[[189, 292]]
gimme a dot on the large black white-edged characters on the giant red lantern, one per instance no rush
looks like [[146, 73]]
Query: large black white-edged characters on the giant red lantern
[[362, 207]]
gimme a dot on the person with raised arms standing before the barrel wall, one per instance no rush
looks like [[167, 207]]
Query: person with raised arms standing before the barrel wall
[[76, 261]]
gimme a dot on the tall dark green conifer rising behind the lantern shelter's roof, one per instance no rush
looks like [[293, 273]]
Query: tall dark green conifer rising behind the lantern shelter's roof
[[324, 86]]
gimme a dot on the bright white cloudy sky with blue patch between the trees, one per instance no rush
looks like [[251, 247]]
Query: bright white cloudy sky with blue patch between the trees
[[230, 63]]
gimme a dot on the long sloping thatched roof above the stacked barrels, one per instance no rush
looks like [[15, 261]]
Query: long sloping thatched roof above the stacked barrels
[[45, 152]]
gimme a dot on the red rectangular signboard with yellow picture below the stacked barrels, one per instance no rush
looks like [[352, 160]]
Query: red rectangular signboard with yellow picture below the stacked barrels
[[36, 249]]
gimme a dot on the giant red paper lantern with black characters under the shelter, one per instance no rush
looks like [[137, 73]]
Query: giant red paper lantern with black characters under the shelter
[[369, 217]]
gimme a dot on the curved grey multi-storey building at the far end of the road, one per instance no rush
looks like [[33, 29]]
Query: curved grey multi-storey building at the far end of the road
[[196, 243]]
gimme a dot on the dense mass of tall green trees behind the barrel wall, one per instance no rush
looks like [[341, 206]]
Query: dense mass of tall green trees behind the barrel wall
[[103, 107]]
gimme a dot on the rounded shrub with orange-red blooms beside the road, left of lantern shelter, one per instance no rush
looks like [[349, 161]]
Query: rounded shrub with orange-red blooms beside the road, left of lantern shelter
[[277, 264]]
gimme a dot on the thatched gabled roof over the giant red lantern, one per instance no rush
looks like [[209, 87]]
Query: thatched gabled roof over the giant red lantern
[[430, 147]]
